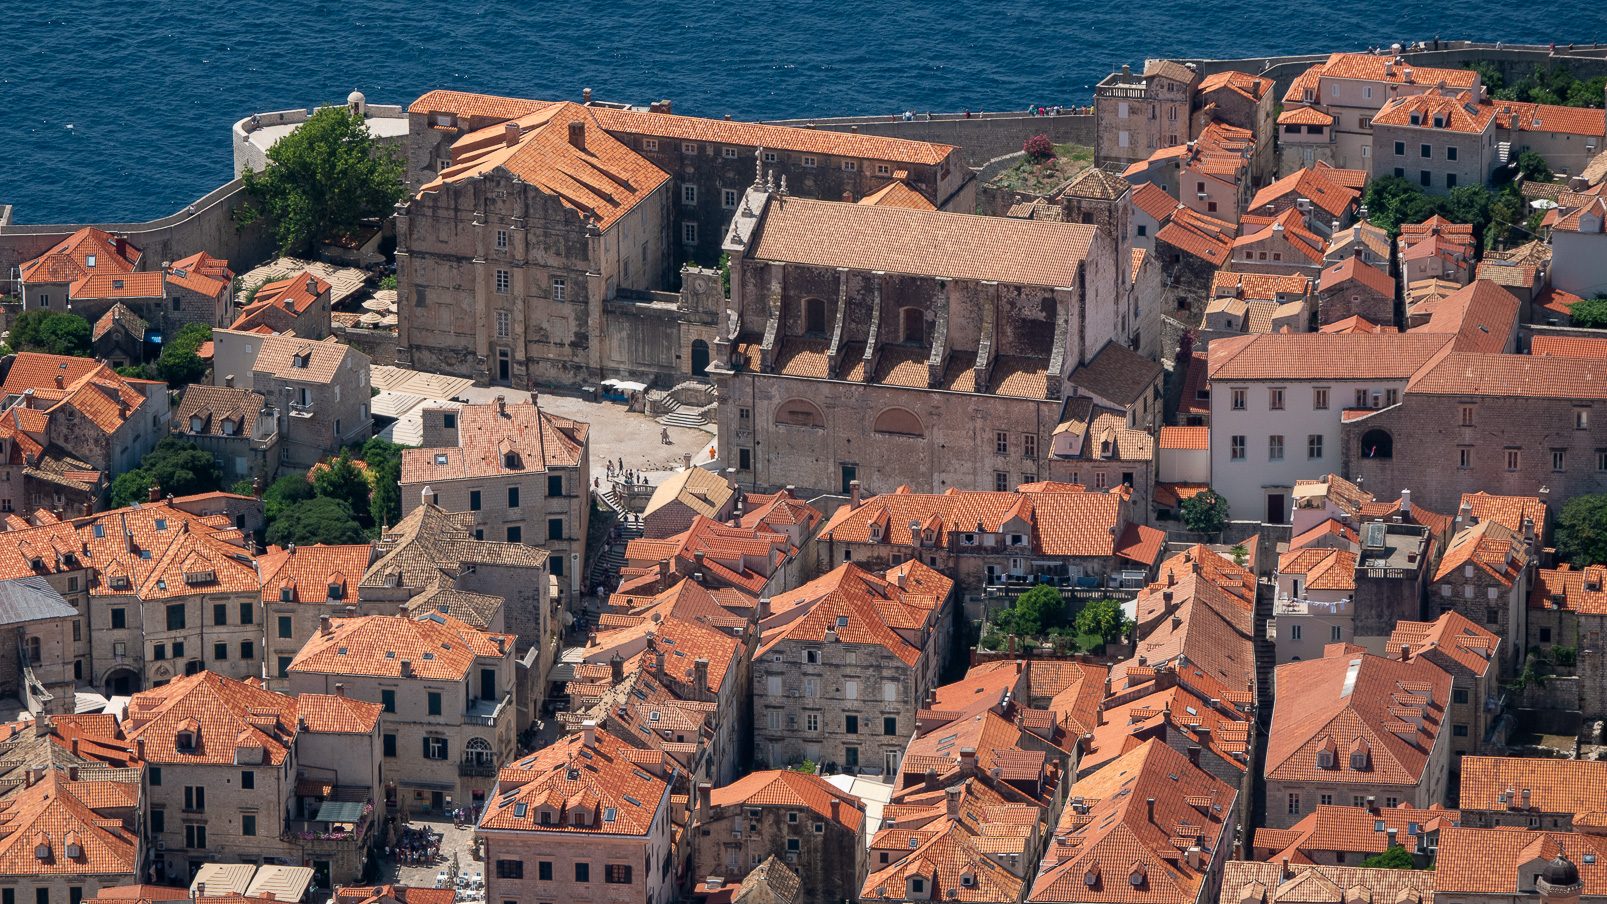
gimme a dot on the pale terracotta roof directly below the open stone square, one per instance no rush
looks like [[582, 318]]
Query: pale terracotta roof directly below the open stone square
[[488, 436]]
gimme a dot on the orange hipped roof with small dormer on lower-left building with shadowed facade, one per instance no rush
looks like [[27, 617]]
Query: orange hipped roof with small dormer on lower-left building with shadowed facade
[[221, 715]]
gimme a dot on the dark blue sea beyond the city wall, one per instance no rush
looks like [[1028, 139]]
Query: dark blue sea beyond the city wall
[[121, 112]]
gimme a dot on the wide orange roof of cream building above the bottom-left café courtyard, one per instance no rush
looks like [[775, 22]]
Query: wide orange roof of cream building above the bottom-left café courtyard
[[435, 648]]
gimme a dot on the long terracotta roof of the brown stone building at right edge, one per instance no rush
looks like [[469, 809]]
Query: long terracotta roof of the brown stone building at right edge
[[1523, 377]]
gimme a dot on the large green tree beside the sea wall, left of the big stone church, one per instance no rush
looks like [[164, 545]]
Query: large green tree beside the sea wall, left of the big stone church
[[322, 181]]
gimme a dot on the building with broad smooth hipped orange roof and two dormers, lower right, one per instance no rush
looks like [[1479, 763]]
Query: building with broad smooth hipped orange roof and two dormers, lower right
[[1349, 727]]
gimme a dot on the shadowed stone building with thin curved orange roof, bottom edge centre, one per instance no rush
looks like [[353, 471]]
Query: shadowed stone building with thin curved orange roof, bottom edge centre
[[806, 821]]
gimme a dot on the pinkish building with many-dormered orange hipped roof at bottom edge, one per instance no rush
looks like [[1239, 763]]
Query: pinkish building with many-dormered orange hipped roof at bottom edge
[[584, 818]]
